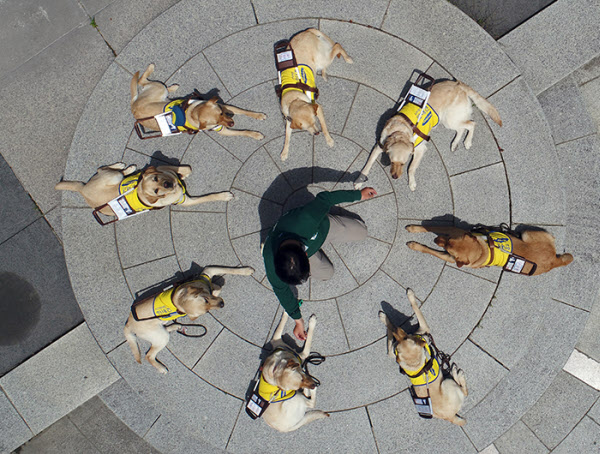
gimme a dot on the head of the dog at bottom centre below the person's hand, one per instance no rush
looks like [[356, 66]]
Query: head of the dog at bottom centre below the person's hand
[[284, 370]]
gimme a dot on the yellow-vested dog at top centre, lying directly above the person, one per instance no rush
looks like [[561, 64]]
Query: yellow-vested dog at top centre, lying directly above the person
[[314, 51]]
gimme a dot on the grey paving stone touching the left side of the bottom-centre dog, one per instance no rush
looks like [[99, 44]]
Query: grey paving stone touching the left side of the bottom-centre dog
[[234, 374]]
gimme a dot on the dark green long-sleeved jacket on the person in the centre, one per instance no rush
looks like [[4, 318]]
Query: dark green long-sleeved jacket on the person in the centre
[[308, 224]]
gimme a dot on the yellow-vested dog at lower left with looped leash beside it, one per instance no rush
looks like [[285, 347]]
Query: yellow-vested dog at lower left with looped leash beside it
[[152, 315]]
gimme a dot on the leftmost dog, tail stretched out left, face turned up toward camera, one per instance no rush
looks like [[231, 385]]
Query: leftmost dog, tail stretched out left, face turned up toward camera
[[156, 187]]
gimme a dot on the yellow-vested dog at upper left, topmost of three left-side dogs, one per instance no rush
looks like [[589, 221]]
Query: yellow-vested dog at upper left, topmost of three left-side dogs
[[189, 114]]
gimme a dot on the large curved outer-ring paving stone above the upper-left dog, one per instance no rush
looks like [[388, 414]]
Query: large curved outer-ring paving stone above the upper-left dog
[[159, 44]]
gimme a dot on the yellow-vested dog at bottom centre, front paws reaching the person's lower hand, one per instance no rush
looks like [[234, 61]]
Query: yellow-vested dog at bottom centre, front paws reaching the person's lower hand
[[291, 391]]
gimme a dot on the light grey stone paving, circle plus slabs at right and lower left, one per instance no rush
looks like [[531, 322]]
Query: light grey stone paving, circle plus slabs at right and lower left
[[512, 335]]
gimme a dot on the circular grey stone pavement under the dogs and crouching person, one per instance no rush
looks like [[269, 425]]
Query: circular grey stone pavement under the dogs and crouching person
[[487, 320]]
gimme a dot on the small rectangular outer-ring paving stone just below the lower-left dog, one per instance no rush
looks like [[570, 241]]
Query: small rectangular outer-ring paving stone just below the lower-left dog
[[129, 407]]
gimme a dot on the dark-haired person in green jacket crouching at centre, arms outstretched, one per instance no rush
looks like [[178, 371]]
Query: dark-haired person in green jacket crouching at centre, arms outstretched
[[292, 249]]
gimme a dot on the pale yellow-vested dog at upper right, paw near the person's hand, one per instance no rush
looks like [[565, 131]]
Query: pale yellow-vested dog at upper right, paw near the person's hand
[[450, 103]]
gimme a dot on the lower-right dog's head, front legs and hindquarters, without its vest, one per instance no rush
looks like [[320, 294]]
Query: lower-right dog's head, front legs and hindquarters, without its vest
[[447, 395]]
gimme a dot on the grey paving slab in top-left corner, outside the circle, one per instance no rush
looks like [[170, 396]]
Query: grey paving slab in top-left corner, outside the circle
[[29, 27]]
